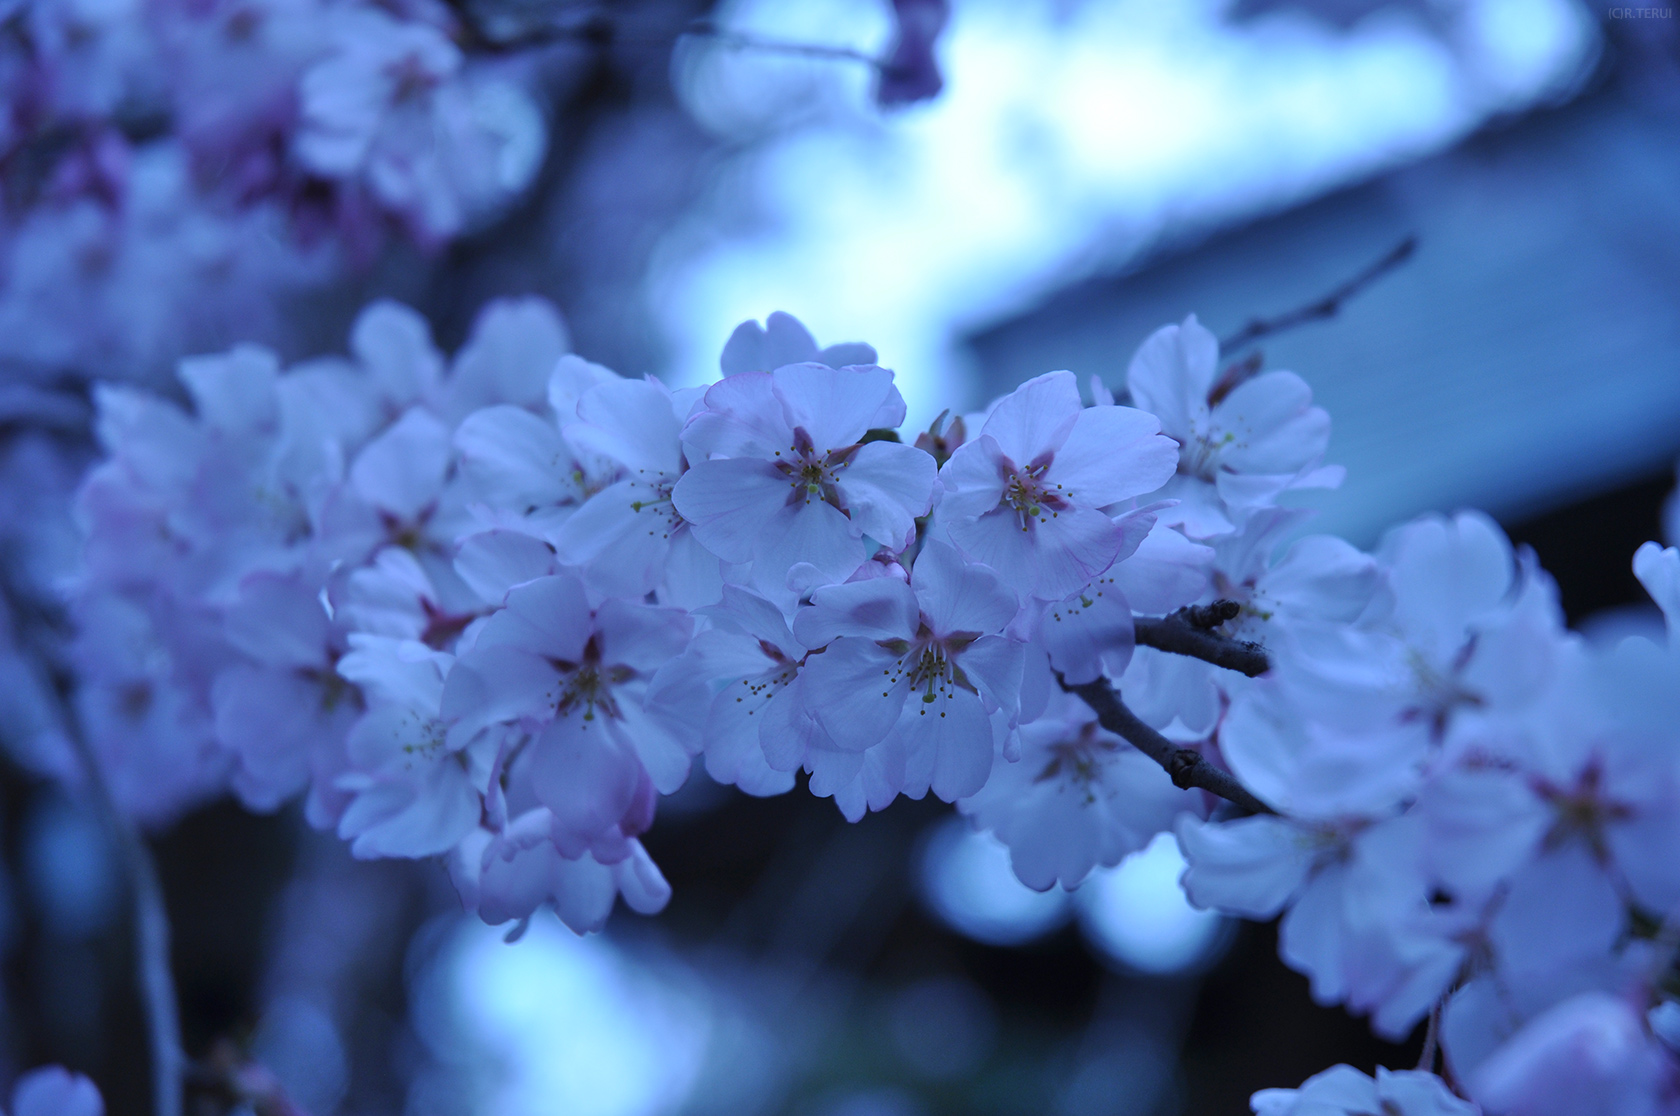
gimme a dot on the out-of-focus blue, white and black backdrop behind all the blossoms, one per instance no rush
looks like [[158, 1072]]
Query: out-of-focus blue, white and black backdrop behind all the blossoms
[[1091, 171]]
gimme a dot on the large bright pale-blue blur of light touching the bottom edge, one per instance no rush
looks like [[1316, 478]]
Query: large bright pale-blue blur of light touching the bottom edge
[[562, 1024]]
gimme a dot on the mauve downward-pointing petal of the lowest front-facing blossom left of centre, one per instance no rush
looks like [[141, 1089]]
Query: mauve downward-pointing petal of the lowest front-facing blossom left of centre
[[585, 776]]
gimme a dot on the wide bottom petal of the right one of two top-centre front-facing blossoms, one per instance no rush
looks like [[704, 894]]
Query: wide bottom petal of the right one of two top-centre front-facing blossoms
[[1051, 557]]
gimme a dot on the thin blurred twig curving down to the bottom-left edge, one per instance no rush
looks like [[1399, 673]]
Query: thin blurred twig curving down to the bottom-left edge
[[152, 919]]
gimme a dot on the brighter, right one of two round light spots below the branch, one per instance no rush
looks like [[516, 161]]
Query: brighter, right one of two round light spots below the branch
[[1138, 915]]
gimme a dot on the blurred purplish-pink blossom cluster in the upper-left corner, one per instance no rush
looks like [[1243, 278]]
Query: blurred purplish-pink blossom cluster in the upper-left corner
[[171, 166]]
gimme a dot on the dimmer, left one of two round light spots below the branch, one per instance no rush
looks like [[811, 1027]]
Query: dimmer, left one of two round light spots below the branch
[[969, 883]]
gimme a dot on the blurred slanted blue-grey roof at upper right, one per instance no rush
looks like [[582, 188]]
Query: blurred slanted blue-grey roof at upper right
[[1528, 355]]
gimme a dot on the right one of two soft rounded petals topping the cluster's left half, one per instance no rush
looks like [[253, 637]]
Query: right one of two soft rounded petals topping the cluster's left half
[[510, 357]]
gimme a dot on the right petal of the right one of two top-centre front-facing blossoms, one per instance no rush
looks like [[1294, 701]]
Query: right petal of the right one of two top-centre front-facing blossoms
[[1113, 455]]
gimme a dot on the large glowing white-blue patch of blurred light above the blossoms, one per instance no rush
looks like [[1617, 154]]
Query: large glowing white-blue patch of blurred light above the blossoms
[[1066, 139]]
